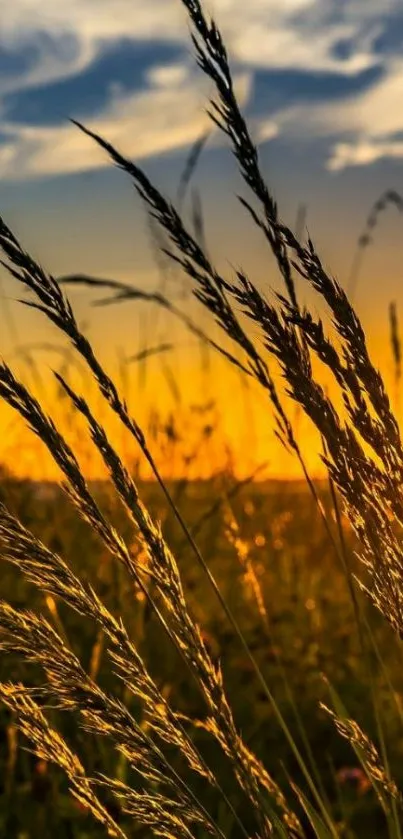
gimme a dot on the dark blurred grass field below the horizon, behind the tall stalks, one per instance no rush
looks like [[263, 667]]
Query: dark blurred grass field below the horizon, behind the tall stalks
[[308, 629]]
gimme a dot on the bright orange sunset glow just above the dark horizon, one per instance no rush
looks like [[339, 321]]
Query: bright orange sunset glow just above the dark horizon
[[187, 436]]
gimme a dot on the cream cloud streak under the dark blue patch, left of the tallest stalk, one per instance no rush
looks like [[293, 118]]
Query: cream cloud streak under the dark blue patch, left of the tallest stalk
[[141, 125]]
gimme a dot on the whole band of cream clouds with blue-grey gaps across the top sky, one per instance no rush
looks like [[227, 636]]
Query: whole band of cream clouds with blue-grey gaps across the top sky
[[44, 44]]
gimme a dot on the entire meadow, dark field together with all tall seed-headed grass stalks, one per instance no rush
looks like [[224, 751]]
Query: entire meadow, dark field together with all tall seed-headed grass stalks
[[188, 658]]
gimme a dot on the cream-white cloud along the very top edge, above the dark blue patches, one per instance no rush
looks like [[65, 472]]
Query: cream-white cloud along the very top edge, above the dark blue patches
[[266, 33]]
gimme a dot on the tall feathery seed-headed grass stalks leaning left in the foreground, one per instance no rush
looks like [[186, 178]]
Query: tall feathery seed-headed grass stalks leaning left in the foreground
[[363, 453]]
